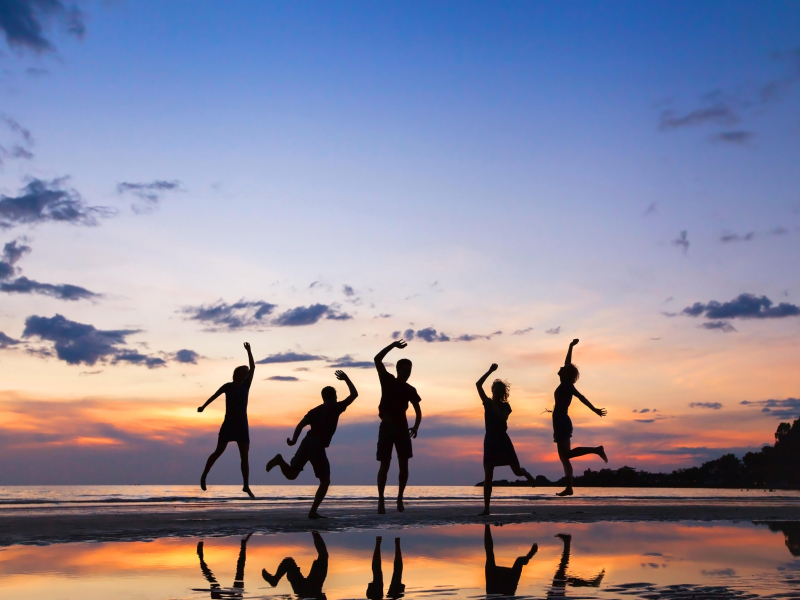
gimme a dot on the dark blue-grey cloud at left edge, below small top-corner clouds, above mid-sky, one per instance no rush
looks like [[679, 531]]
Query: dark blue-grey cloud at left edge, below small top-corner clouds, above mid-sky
[[42, 201]]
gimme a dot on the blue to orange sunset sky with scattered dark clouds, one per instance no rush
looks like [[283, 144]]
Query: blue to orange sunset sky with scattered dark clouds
[[487, 180]]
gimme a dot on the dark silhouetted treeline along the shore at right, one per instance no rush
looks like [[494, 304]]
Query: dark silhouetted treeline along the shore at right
[[776, 466]]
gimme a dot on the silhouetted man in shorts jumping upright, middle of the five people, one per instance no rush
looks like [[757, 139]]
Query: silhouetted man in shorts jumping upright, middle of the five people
[[396, 394]]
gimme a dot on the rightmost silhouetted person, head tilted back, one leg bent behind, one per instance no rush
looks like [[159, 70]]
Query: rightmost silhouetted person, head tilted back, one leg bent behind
[[562, 424]]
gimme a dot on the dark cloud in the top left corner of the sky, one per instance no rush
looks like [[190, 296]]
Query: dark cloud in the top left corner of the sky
[[23, 22]]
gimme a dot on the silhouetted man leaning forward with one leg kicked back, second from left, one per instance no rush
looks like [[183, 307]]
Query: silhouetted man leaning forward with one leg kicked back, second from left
[[322, 421]]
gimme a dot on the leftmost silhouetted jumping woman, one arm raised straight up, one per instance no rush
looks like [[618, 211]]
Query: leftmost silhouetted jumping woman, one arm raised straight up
[[234, 427]]
